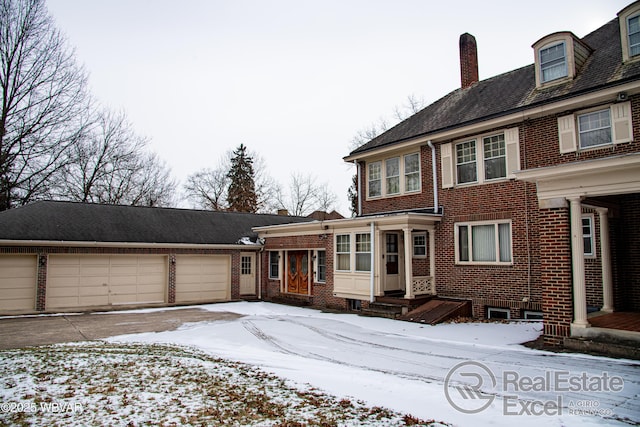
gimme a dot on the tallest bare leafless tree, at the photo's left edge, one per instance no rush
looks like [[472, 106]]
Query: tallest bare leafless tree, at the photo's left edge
[[45, 107]]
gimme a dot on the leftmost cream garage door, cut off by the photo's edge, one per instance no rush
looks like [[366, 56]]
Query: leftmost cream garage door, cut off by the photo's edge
[[18, 278]]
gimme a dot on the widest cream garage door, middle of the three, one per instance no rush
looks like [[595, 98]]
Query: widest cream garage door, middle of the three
[[94, 280]]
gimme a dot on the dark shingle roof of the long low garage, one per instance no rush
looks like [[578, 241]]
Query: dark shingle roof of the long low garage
[[85, 222]]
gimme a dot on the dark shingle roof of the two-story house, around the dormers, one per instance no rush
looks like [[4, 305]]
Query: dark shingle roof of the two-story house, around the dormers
[[516, 90]]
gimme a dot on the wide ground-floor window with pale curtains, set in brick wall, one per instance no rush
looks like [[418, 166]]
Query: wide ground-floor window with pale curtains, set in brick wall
[[483, 242]]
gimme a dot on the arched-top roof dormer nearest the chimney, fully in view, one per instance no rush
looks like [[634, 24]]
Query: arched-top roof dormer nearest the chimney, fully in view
[[559, 58]]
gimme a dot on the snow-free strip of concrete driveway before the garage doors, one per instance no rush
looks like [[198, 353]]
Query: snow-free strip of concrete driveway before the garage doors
[[24, 331]]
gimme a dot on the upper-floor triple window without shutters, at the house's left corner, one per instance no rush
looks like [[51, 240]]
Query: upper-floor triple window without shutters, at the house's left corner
[[401, 175]]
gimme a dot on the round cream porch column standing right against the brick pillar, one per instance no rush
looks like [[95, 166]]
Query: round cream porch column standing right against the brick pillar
[[577, 257]]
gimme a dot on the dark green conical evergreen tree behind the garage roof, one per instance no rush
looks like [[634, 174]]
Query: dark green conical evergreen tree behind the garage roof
[[242, 195]]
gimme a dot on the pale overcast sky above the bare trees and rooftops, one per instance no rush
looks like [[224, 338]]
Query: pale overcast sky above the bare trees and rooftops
[[293, 80]]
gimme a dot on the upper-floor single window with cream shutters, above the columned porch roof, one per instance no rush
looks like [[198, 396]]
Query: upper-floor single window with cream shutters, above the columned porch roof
[[591, 129]]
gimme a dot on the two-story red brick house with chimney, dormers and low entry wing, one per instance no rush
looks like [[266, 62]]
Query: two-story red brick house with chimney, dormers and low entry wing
[[519, 193]]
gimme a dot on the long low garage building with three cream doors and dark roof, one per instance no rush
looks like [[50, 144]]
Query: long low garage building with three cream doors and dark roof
[[60, 256]]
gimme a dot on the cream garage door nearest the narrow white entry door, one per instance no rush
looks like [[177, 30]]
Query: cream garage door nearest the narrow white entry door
[[203, 278]]
